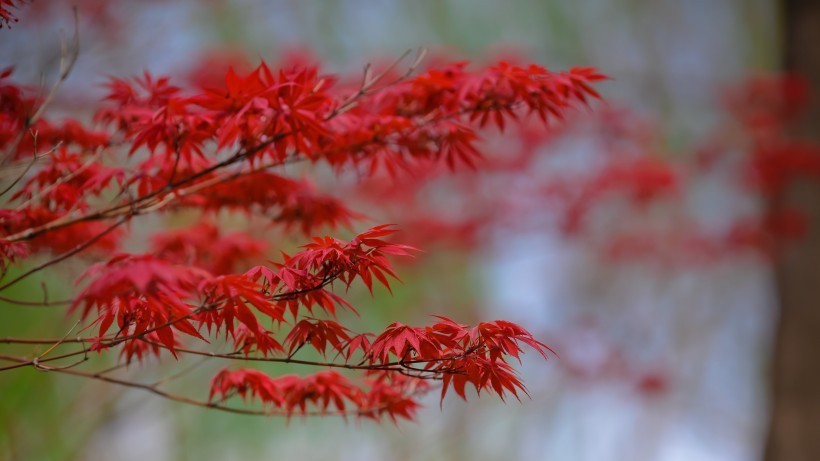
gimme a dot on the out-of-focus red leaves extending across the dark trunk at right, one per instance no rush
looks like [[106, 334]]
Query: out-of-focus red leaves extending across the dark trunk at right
[[638, 205]]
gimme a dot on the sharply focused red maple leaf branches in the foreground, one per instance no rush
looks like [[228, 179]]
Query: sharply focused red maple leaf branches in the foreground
[[156, 147]]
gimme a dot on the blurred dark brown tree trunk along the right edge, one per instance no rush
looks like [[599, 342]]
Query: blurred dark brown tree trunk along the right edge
[[794, 434]]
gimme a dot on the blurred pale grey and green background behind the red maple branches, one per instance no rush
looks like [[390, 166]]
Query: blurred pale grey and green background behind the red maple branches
[[663, 344]]
